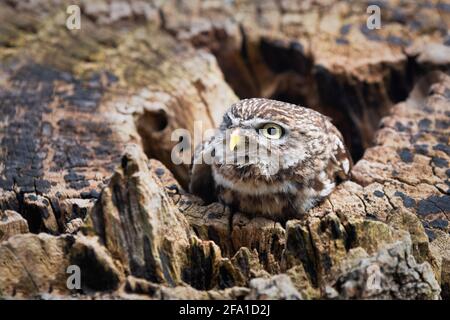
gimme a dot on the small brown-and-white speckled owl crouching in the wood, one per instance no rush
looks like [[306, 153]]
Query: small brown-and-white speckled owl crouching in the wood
[[310, 151]]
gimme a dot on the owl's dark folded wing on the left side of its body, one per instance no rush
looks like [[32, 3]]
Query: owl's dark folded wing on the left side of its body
[[202, 182]]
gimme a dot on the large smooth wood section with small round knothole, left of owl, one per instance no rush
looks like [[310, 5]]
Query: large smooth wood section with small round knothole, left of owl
[[72, 100]]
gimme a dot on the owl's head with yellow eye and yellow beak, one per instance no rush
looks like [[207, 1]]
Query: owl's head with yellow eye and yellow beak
[[259, 138]]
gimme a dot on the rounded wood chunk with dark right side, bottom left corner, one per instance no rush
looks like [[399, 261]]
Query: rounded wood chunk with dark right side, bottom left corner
[[36, 265]]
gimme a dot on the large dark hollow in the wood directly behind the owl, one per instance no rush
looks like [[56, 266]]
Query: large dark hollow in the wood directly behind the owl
[[355, 107]]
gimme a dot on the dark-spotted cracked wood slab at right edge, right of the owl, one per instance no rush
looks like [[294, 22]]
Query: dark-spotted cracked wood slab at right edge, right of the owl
[[411, 155]]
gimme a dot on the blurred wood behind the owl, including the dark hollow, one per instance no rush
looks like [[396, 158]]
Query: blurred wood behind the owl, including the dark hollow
[[319, 54]]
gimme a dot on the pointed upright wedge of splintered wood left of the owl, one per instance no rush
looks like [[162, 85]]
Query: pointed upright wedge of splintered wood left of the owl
[[138, 225]]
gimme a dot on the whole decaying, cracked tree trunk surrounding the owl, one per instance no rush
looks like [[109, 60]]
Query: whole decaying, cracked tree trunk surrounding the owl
[[82, 112]]
